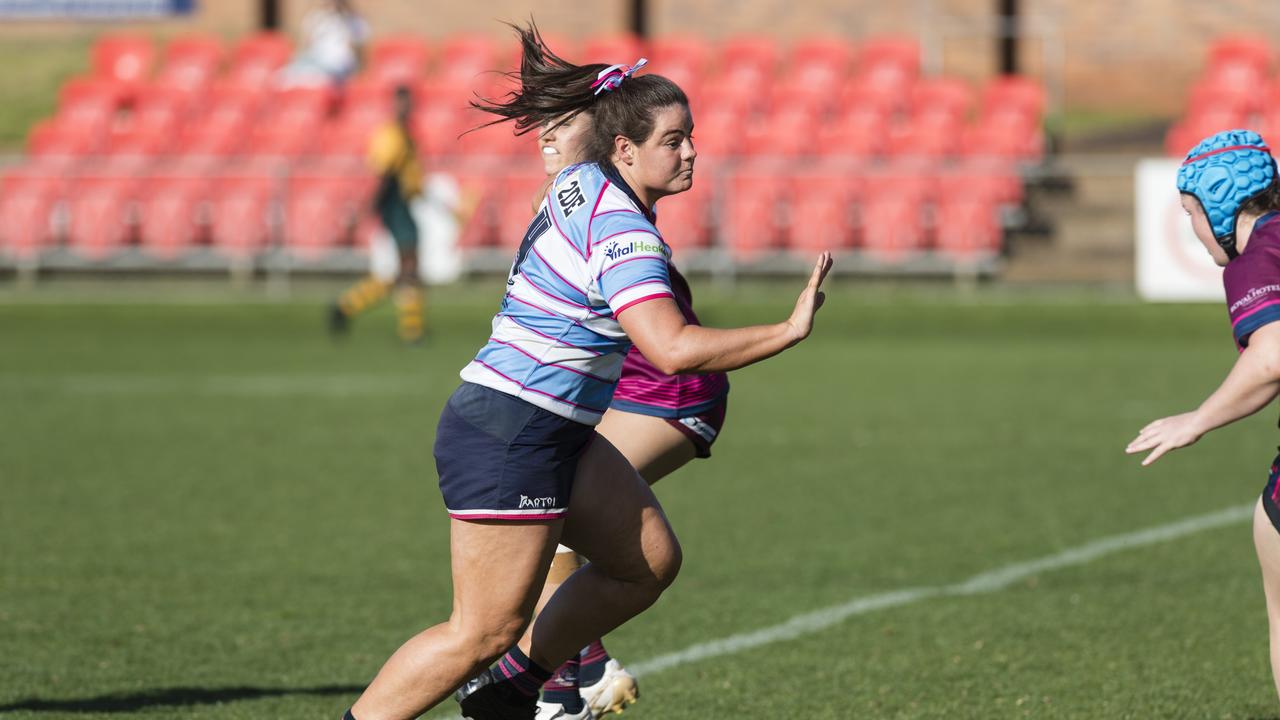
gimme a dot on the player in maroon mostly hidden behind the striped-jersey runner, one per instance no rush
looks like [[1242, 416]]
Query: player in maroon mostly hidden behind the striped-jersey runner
[[659, 422]]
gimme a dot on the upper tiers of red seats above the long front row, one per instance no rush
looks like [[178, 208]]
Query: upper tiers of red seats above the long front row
[[188, 107]]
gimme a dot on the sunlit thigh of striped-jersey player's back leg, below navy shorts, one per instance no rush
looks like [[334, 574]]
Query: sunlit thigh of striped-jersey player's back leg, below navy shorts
[[499, 571]]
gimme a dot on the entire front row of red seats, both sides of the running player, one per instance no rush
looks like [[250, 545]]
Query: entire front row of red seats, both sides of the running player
[[313, 208]]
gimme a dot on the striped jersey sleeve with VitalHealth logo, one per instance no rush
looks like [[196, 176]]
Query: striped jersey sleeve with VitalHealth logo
[[630, 262]]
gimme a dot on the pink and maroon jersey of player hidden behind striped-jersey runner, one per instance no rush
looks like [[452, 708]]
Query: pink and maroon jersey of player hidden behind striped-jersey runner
[[648, 391]]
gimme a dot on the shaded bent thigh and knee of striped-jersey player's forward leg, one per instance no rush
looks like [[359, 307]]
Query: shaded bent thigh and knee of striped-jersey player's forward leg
[[616, 522]]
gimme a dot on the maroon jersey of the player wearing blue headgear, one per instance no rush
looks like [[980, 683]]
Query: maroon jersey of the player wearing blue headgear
[[1252, 281]]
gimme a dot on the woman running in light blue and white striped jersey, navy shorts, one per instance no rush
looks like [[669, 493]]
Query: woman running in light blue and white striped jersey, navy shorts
[[522, 467]]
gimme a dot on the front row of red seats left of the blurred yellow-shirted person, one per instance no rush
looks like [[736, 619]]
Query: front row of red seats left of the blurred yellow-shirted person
[[170, 211]]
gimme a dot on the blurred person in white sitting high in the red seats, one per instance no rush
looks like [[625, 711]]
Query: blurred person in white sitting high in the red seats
[[331, 48]]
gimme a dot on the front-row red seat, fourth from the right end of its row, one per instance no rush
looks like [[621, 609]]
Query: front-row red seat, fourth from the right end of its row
[[749, 218]]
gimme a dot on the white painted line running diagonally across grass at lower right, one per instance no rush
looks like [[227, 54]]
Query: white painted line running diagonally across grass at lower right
[[988, 582]]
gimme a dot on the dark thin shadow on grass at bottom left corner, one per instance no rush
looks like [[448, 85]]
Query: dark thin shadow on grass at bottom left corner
[[170, 698]]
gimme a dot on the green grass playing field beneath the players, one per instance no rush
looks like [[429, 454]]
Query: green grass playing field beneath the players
[[209, 511]]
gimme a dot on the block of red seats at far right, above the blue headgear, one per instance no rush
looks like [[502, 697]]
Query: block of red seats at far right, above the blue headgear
[[1235, 90]]
